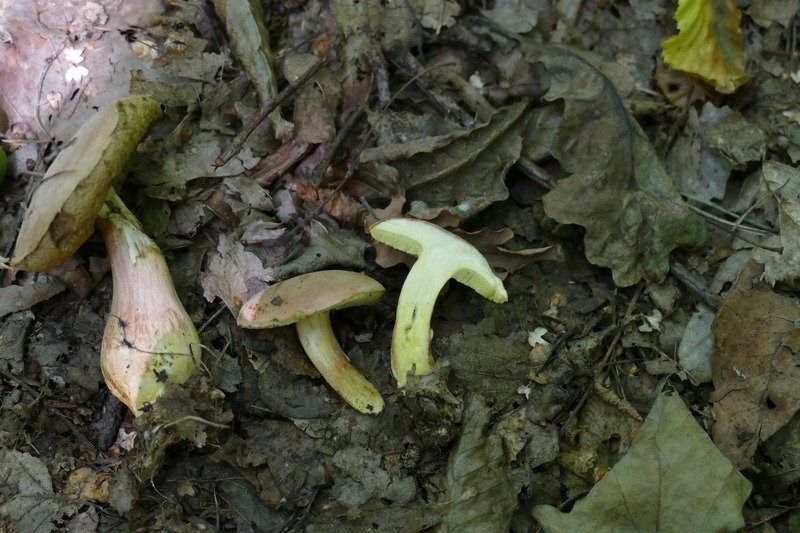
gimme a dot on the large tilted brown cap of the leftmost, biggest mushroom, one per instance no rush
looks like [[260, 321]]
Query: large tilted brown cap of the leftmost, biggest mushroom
[[61, 213]]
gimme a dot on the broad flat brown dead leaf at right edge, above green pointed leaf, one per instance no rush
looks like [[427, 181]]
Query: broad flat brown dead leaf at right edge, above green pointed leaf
[[755, 370]]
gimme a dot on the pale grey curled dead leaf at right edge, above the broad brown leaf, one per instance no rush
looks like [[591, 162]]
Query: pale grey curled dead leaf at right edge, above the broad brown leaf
[[784, 183]]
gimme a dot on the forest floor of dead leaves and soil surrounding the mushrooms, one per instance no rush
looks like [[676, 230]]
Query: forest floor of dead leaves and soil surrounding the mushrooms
[[645, 223]]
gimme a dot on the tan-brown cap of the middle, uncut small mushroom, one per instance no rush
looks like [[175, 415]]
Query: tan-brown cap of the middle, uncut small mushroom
[[297, 298]]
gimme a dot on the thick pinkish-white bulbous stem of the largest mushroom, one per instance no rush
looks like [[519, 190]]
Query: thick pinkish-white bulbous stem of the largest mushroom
[[149, 338]]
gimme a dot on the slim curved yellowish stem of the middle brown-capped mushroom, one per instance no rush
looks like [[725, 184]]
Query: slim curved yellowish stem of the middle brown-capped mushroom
[[321, 346]]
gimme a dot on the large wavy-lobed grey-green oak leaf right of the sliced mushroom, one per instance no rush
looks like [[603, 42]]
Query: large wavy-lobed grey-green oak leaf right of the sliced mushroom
[[617, 188]]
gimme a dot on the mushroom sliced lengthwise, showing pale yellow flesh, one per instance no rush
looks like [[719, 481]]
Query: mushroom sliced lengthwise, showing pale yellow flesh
[[441, 256]]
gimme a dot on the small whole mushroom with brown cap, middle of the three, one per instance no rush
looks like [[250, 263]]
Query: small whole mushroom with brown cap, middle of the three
[[307, 301]]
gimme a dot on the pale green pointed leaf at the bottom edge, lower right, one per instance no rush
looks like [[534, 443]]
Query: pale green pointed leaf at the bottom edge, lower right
[[673, 479]]
